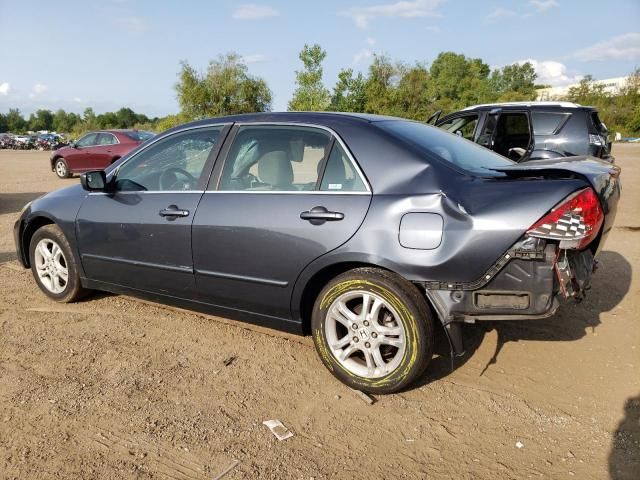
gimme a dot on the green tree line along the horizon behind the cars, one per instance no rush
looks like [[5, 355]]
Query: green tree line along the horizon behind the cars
[[451, 82]]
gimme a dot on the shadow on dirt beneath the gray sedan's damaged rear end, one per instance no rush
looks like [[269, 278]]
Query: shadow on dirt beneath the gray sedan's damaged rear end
[[610, 284]]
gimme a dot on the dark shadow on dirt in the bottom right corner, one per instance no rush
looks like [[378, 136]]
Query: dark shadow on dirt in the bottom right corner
[[624, 459]]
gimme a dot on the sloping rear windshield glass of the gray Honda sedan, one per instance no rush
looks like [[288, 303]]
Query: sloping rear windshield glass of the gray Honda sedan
[[446, 146]]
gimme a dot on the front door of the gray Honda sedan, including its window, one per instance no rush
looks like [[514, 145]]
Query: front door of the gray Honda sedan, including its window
[[139, 236]]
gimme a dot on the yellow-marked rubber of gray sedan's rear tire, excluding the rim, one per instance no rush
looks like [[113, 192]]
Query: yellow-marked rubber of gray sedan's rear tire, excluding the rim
[[418, 344]]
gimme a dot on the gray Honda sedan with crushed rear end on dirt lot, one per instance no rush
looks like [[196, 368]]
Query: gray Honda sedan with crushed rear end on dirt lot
[[367, 232]]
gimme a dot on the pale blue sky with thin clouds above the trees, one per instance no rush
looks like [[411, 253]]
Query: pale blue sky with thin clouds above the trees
[[113, 53]]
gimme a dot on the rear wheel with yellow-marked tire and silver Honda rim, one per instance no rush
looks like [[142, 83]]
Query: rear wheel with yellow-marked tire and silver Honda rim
[[388, 348]]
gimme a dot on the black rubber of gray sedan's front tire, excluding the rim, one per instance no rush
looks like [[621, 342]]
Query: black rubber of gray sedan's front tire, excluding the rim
[[52, 232]]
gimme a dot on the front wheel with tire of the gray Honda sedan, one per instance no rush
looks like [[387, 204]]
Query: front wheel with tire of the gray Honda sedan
[[51, 261]]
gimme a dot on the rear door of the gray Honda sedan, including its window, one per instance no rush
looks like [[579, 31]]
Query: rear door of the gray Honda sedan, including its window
[[283, 195]]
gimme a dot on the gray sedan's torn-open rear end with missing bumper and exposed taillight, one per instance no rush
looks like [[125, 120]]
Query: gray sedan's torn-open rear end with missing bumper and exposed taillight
[[552, 261]]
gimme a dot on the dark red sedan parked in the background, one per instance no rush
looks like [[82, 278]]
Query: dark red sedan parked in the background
[[95, 151]]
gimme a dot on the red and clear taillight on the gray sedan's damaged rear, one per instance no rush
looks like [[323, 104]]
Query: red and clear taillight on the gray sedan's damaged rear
[[577, 219]]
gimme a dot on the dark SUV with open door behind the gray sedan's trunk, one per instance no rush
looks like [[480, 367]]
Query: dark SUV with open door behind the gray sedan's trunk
[[525, 131]]
